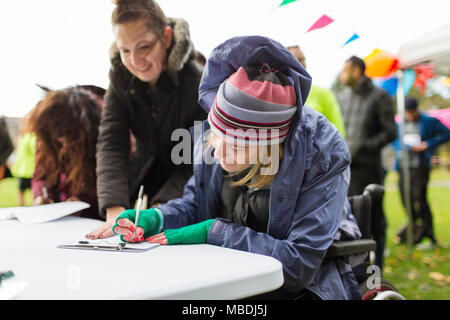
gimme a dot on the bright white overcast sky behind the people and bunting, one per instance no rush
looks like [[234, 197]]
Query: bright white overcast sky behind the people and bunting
[[58, 43]]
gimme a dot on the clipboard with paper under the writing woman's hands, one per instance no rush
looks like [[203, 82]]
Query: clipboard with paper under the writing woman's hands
[[110, 245]]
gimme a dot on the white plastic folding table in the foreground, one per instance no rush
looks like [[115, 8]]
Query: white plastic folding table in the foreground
[[166, 272]]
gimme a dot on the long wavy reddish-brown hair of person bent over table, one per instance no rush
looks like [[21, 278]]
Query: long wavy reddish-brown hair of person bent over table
[[72, 114]]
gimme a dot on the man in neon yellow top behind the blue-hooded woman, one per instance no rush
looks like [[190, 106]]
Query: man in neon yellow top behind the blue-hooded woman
[[321, 99]]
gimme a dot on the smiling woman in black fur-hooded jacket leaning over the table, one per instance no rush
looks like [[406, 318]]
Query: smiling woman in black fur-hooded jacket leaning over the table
[[153, 91]]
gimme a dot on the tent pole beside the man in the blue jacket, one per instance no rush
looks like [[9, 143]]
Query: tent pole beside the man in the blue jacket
[[405, 162]]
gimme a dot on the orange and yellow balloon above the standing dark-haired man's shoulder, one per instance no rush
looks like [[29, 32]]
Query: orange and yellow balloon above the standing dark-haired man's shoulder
[[380, 64]]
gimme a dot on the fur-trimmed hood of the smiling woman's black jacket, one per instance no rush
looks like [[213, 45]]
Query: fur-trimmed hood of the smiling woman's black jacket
[[181, 51]]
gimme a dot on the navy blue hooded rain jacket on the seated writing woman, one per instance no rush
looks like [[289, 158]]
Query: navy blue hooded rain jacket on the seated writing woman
[[307, 195]]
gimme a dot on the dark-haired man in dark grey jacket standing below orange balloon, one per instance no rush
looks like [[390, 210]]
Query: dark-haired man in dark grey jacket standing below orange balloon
[[369, 122]]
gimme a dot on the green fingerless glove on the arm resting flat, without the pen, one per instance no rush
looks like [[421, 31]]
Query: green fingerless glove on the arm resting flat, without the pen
[[195, 233]]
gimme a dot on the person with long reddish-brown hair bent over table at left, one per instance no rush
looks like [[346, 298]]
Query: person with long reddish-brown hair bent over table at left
[[66, 124]]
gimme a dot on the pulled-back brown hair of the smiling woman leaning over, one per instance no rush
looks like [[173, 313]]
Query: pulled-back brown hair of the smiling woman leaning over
[[146, 10]]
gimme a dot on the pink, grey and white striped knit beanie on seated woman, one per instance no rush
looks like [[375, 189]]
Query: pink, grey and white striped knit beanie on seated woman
[[255, 105]]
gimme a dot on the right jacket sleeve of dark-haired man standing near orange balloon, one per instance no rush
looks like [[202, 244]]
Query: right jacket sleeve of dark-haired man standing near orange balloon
[[387, 132]]
